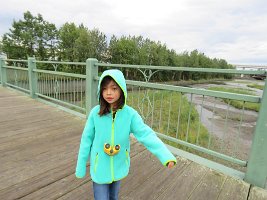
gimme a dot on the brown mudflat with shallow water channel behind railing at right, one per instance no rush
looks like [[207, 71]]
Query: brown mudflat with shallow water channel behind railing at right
[[231, 132]]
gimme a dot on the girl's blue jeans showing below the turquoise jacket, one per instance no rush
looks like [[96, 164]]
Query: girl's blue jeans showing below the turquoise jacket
[[106, 191]]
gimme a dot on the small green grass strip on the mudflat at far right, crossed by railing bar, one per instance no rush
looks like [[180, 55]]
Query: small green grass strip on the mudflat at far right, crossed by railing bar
[[236, 103]]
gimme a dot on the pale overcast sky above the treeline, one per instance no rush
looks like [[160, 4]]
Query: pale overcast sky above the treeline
[[234, 30]]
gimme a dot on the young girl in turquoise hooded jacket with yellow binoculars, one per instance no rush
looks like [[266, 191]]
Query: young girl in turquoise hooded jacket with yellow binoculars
[[106, 138]]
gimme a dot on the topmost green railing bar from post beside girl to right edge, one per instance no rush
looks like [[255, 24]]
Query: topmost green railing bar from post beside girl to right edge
[[189, 69]]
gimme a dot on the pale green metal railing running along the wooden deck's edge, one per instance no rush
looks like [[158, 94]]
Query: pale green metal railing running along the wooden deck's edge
[[170, 110]]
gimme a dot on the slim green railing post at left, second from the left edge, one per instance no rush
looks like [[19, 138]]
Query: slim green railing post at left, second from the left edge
[[32, 77]]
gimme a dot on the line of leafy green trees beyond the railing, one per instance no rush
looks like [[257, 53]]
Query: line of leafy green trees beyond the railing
[[33, 36]]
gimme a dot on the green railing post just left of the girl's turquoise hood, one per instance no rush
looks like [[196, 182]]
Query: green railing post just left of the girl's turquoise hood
[[91, 84]]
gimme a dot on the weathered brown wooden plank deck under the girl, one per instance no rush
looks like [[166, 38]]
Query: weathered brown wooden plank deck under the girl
[[39, 145]]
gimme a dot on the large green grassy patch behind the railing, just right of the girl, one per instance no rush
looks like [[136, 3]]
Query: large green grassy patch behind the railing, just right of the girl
[[165, 120]]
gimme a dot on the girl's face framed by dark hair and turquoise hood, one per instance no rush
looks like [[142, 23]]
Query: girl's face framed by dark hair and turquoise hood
[[111, 93]]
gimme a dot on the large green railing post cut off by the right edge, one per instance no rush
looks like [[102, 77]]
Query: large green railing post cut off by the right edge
[[256, 173]]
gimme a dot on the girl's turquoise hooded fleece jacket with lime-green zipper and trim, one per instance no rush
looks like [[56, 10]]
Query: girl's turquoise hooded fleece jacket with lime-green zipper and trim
[[100, 130]]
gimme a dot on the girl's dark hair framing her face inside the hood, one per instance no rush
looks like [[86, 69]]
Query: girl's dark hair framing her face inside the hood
[[104, 106]]
